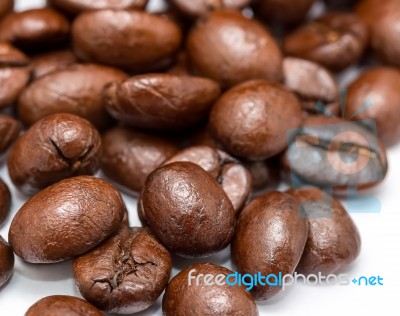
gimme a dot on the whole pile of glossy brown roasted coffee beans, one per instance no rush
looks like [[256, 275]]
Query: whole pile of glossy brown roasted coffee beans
[[201, 112]]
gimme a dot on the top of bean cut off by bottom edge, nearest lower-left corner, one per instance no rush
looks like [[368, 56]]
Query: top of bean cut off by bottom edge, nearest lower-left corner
[[62, 305]]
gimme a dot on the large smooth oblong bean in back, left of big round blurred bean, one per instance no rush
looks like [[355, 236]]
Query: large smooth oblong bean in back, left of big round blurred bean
[[135, 41]]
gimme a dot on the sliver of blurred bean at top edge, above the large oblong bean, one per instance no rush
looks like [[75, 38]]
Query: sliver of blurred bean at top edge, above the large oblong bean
[[77, 6]]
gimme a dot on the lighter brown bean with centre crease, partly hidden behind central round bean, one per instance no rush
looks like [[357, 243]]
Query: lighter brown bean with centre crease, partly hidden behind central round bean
[[234, 178]]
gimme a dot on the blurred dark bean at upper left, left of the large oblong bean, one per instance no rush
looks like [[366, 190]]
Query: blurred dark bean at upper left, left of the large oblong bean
[[35, 29]]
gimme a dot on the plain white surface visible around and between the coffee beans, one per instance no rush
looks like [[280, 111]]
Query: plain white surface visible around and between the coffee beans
[[380, 255]]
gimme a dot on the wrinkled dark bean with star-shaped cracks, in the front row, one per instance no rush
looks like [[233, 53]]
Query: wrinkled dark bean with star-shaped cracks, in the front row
[[126, 274]]
